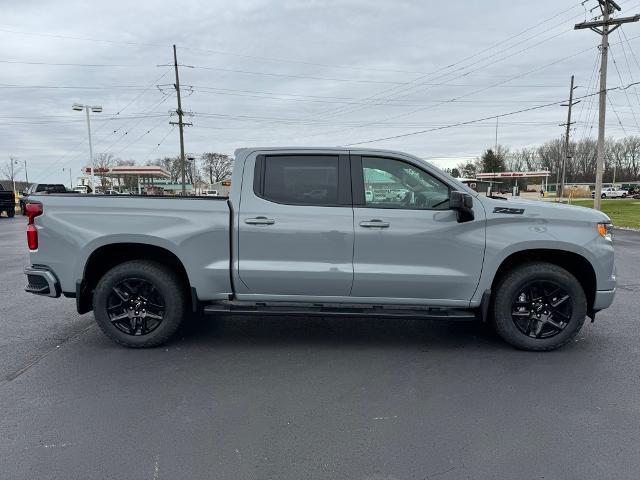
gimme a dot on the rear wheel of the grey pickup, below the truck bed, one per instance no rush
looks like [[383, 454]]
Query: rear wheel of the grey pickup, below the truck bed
[[139, 304]]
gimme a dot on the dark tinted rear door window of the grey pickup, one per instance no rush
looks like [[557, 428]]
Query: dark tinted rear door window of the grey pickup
[[301, 180]]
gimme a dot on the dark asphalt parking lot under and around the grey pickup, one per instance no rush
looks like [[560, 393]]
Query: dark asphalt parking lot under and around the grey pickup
[[296, 398]]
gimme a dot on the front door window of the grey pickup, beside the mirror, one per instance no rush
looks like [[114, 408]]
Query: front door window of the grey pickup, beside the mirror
[[395, 184]]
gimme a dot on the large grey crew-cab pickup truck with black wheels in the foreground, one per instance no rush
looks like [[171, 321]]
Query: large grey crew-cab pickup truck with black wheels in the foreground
[[298, 235]]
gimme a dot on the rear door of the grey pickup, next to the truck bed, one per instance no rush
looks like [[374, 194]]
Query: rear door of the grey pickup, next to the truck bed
[[295, 233]]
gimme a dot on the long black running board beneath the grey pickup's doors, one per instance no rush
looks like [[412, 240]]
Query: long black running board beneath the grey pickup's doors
[[333, 310]]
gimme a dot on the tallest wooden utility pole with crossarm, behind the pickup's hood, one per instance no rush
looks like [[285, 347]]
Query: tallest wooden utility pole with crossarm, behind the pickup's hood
[[601, 27]]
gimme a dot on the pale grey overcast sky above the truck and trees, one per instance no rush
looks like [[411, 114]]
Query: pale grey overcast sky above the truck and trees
[[298, 73]]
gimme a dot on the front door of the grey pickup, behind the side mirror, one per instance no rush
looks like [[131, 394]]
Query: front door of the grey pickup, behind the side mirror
[[408, 244]]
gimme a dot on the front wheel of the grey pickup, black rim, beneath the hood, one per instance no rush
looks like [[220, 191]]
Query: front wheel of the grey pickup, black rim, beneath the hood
[[539, 306]]
